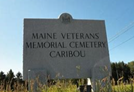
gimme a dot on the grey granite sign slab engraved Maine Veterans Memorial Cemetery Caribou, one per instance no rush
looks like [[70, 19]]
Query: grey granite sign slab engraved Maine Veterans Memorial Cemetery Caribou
[[65, 48]]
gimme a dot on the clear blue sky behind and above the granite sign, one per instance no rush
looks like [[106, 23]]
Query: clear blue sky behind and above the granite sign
[[118, 16]]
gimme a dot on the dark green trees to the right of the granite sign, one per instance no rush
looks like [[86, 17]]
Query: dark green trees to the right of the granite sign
[[122, 71]]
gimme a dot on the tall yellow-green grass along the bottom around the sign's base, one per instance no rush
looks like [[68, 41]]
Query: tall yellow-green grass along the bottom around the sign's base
[[68, 86]]
